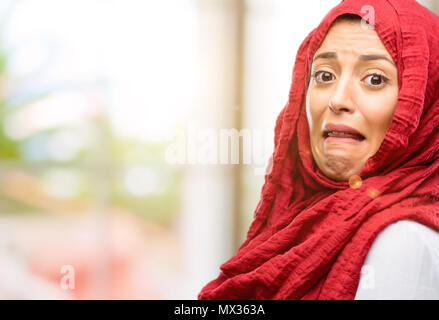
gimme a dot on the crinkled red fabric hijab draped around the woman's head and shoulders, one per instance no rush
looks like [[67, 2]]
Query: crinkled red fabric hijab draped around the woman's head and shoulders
[[310, 235]]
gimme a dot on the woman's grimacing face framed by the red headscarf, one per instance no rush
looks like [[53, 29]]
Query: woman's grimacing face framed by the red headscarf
[[354, 74]]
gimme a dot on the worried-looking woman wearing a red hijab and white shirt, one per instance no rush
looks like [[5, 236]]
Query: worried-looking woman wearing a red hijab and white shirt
[[353, 187]]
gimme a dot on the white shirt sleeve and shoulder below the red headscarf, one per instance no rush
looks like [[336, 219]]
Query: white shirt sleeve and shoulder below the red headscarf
[[402, 264]]
